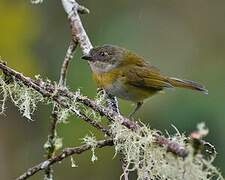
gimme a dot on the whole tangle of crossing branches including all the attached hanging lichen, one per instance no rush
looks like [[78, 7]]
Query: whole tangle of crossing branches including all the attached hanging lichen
[[144, 150]]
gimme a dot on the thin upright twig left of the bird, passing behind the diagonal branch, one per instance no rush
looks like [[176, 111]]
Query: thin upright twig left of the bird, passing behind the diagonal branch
[[76, 36]]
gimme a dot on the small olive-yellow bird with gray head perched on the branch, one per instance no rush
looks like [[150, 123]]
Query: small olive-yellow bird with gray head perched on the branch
[[127, 75]]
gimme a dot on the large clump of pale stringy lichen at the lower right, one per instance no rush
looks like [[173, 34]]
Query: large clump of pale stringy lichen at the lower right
[[154, 162]]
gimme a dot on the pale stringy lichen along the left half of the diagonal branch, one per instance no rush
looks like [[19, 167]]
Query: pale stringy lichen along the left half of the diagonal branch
[[26, 99]]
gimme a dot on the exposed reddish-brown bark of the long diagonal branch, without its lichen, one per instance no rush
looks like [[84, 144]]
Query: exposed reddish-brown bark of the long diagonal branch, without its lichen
[[49, 92]]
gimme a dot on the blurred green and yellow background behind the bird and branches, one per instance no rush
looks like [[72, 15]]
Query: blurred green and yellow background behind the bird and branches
[[184, 38]]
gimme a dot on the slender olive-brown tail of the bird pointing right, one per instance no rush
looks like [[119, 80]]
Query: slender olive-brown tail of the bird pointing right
[[187, 84]]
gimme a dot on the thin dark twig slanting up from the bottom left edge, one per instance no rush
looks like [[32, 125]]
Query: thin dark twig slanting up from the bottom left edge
[[64, 154]]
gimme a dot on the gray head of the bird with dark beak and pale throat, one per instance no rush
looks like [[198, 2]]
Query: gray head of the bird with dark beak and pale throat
[[104, 58]]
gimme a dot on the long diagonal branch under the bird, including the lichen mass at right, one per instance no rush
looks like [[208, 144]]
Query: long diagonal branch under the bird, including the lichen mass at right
[[137, 142]]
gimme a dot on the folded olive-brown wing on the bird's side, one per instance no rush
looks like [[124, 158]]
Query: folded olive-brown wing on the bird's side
[[146, 77]]
